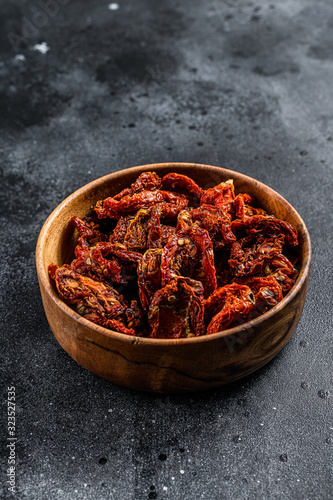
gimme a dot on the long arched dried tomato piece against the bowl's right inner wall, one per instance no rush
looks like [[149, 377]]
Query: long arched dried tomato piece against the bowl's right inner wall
[[267, 224]]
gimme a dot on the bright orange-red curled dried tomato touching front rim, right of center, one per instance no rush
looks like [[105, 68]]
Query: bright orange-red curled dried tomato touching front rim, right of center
[[228, 306]]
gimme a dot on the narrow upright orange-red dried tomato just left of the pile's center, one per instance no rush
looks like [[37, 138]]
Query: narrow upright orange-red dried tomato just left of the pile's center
[[149, 275]]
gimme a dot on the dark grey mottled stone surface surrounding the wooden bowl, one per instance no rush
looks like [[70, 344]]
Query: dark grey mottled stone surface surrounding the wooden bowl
[[244, 85]]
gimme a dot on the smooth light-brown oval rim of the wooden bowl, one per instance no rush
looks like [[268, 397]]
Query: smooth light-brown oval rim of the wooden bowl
[[48, 288]]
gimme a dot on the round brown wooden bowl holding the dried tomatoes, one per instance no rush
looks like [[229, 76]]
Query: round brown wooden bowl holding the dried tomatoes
[[168, 365]]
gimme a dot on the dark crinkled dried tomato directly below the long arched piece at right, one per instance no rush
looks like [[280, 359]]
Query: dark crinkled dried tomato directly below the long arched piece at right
[[250, 255]]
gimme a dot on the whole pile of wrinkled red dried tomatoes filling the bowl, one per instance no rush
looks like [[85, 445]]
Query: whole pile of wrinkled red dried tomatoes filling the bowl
[[165, 258]]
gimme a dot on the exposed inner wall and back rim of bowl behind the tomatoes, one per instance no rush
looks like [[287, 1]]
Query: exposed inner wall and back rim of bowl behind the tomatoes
[[57, 239]]
